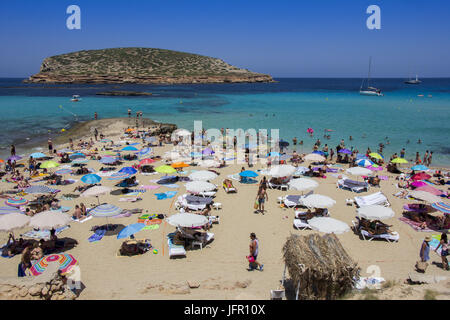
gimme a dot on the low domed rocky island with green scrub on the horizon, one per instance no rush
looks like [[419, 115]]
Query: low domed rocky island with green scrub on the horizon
[[142, 66]]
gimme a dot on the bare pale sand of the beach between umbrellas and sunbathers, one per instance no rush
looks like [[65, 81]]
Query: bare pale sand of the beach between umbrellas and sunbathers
[[220, 268]]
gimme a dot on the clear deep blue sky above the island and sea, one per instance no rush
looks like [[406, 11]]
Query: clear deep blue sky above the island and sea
[[295, 38]]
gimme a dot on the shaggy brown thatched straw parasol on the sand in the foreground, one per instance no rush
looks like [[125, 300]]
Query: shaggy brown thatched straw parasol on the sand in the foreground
[[319, 266]]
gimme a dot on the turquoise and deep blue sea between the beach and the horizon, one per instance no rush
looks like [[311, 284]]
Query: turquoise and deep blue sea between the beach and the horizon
[[31, 112]]
